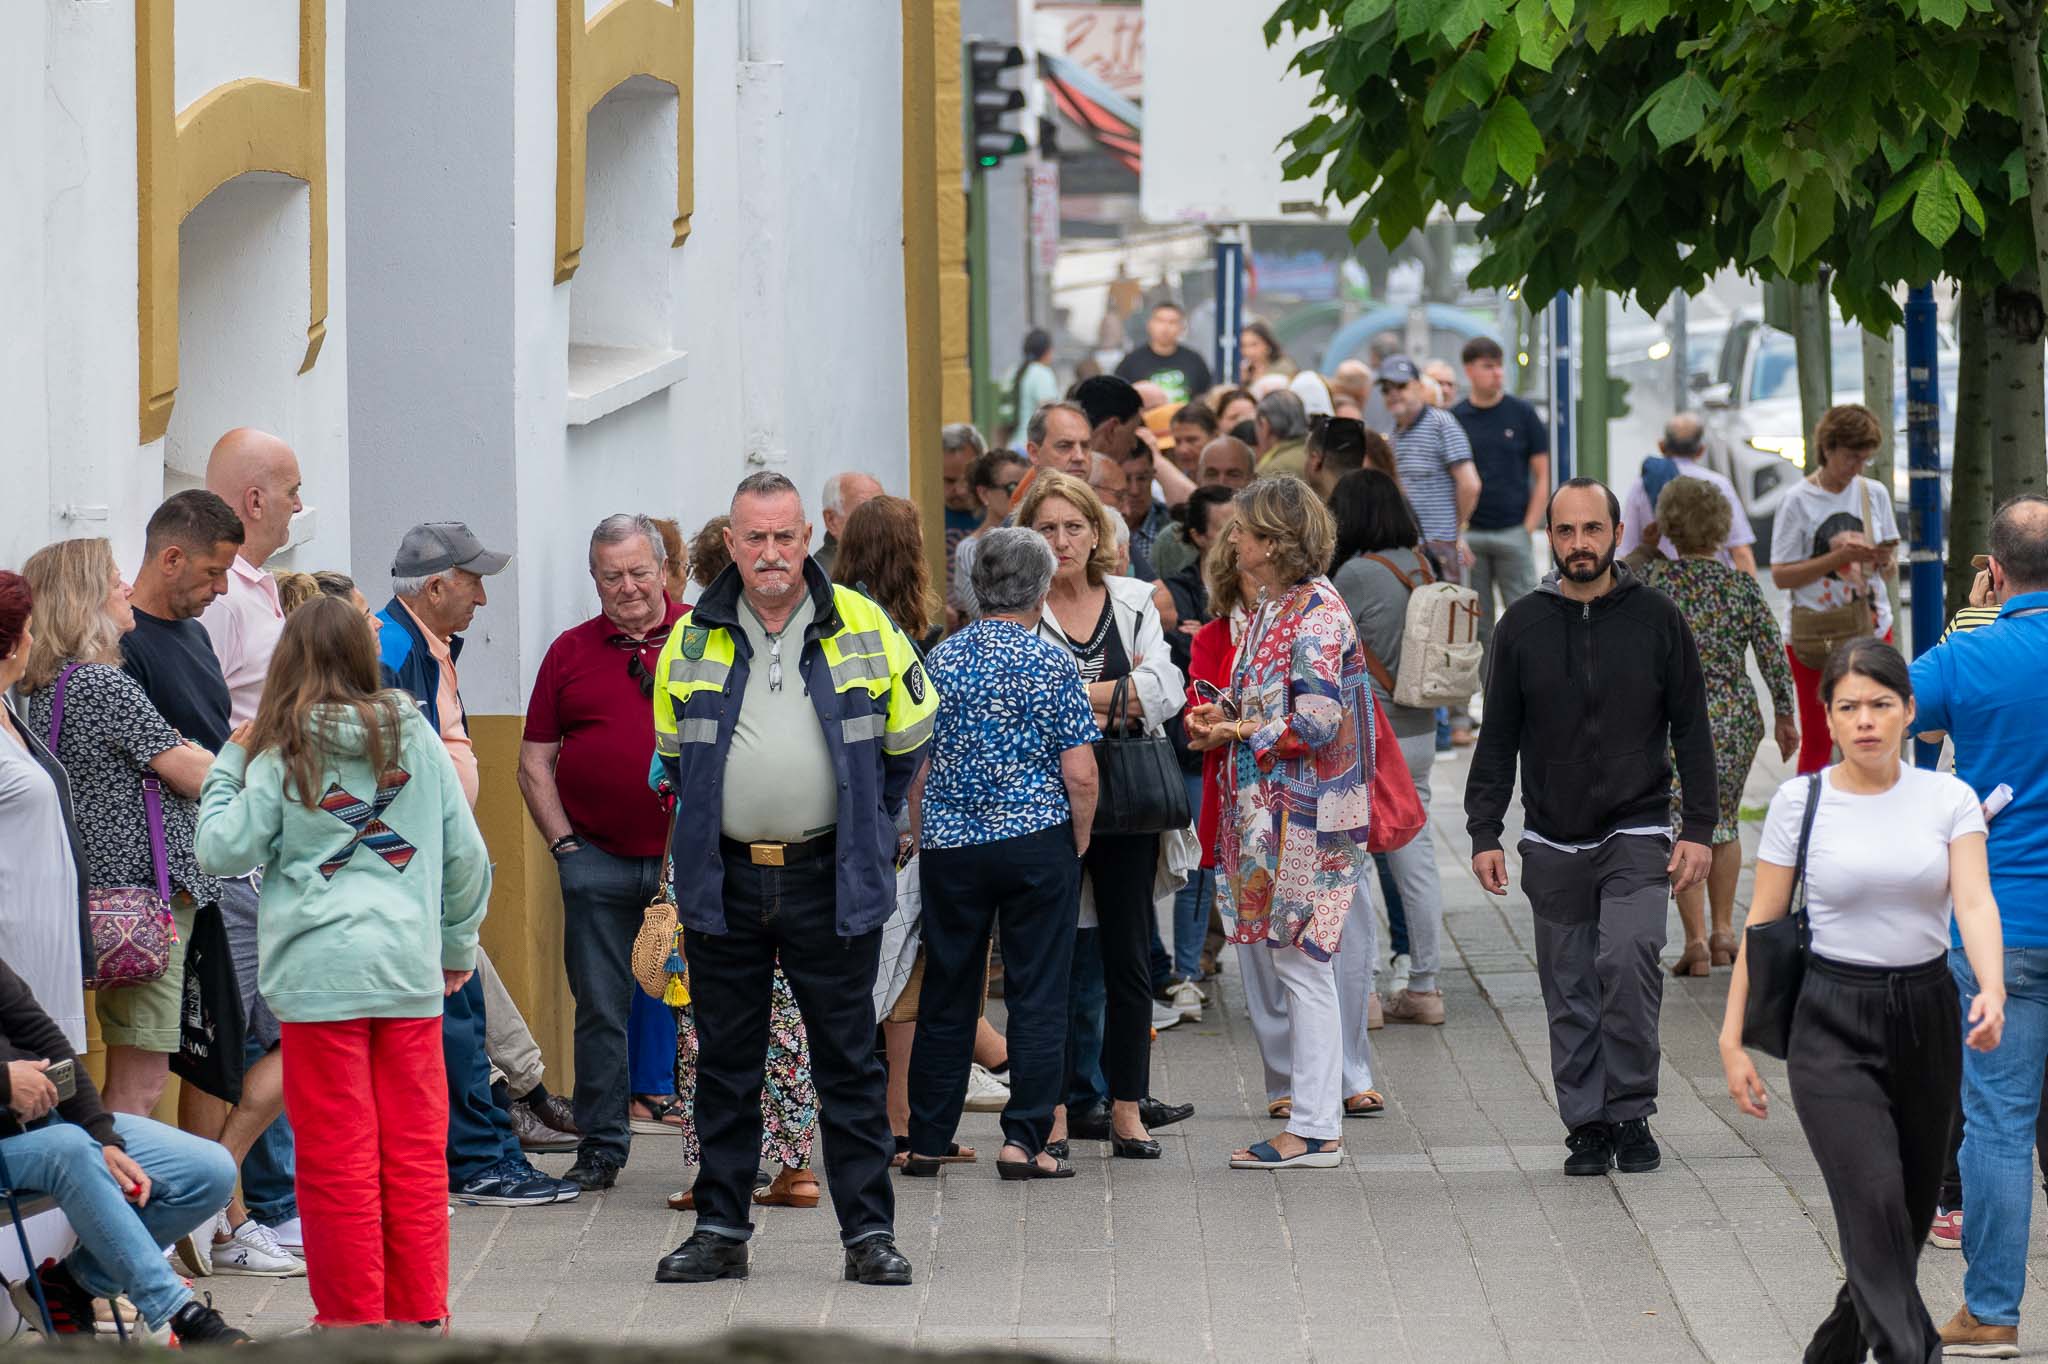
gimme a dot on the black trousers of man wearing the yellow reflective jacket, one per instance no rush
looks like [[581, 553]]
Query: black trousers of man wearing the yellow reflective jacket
[[787, 914]]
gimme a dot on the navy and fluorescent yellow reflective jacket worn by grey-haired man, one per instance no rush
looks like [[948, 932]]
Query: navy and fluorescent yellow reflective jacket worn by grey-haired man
[[873, 704]]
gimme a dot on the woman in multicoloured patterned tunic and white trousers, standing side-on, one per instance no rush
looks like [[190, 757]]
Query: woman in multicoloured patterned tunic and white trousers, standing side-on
[[1299, 724]]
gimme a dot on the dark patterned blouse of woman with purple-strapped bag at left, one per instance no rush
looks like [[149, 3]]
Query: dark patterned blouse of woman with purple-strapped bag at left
[[108, 742]]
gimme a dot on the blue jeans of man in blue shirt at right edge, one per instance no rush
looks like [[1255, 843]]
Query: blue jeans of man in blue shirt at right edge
[[2002, 1093]]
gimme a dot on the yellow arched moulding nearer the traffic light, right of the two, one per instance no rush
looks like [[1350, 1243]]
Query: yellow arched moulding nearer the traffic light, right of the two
[[624, 40]]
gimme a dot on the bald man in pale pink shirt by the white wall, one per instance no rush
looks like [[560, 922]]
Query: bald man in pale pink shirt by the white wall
[[255, 474]]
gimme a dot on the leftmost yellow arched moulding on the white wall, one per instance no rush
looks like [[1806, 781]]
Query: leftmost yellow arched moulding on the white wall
[[181, 157]]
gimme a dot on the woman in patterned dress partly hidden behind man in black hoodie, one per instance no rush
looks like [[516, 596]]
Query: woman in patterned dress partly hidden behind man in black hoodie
[[1730, 620]]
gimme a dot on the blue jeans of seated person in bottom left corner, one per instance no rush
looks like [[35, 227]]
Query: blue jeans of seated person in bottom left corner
[[122, 1246]]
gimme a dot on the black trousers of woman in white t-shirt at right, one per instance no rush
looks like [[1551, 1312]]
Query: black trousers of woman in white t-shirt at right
[[1869, 1050]]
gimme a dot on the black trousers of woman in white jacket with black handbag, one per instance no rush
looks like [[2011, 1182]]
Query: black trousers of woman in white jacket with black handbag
[[1123, 869]]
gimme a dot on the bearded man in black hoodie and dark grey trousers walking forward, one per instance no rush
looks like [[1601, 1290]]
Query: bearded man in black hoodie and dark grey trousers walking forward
[[1592, 677]]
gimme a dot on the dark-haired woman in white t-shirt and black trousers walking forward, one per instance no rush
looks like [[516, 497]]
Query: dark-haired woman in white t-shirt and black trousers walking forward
[[1873, 1054]]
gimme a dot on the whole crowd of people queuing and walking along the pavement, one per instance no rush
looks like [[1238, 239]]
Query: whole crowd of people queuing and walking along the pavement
[[1193, 663]]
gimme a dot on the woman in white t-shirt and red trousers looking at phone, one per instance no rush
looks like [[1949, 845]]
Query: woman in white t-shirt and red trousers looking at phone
[[1832, 548]]
